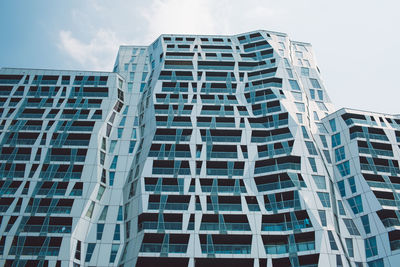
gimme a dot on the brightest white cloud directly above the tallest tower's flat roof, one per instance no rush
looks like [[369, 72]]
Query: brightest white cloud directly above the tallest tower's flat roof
[[207, 17]]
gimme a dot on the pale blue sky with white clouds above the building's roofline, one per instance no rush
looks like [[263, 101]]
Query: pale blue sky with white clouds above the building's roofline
[[356, 43]]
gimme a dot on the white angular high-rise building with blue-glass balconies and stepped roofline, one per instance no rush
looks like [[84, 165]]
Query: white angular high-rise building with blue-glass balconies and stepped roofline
[[195, 151]]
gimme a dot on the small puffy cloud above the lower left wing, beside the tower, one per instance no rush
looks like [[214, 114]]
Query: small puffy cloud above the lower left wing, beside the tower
[[98, 54]]
